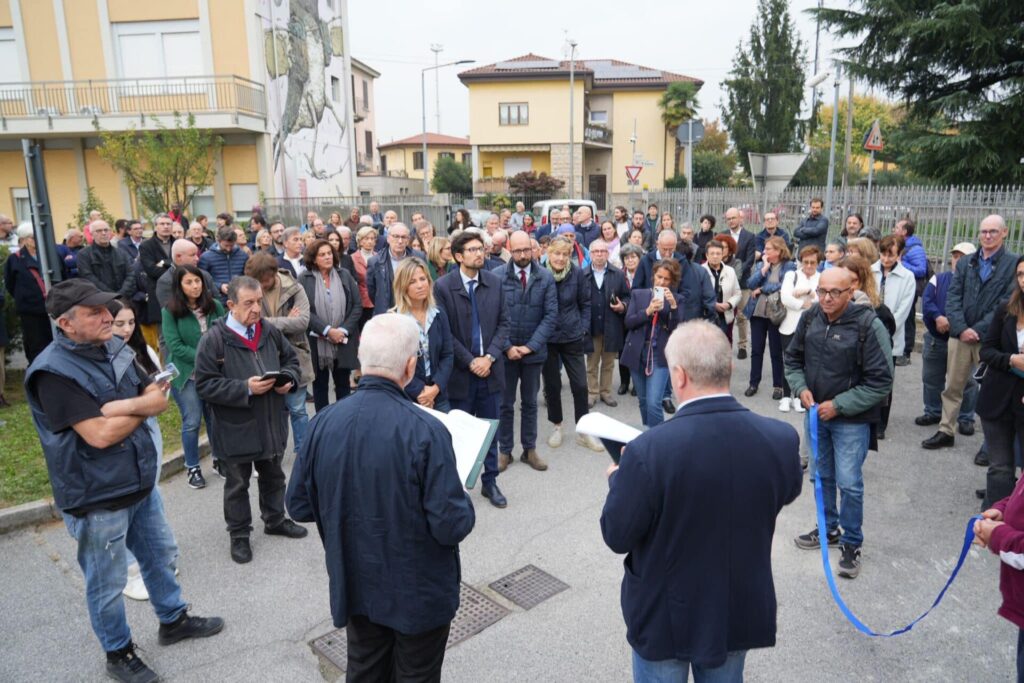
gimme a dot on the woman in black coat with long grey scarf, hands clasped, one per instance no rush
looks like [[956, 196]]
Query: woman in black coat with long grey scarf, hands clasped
[[335, 309]]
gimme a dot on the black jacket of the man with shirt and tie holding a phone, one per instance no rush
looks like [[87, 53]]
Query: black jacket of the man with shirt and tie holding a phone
[[248, 428]]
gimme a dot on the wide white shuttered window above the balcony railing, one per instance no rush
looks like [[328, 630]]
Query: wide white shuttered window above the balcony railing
[[158, 50]]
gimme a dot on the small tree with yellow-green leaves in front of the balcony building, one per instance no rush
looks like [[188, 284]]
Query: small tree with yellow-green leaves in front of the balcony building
[[166, 166]]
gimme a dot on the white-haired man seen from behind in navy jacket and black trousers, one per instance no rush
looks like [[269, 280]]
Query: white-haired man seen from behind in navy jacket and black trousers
[[378, 477]]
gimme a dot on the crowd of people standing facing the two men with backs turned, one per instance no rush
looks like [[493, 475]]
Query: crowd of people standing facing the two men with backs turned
[[245, 328]]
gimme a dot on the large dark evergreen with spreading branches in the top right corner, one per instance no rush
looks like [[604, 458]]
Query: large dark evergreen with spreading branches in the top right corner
[[959, 69]]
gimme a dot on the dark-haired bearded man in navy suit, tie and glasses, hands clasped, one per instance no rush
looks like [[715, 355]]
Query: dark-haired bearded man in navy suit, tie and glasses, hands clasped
[[473, 300]]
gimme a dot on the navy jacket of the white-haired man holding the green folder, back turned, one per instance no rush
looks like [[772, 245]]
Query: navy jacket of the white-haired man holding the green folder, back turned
[[378, 477]]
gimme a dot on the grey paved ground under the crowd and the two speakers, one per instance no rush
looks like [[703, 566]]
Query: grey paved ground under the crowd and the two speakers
[[917, 505]]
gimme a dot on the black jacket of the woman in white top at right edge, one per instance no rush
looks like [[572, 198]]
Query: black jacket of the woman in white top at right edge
[[1002, 391]]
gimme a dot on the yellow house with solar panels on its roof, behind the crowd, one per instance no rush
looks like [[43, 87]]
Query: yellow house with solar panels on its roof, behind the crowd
[[520, 121]]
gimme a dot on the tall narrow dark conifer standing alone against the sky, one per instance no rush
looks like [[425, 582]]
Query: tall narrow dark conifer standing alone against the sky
[[765, 89]]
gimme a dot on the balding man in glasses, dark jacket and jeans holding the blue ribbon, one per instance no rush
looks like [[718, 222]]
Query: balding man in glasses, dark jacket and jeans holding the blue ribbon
[[841, 360]]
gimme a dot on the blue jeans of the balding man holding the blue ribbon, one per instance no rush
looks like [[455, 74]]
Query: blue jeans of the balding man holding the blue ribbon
[[842, 449]]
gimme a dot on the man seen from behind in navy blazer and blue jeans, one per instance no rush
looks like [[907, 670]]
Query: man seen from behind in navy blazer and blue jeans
[[694, 504]]
